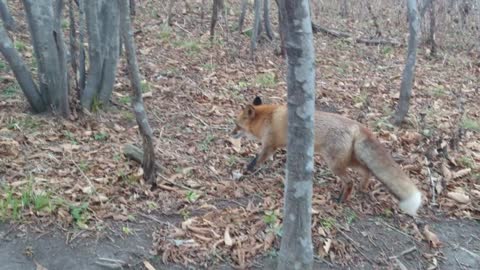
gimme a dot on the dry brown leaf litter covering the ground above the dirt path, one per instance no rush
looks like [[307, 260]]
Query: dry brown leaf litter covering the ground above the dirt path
[[226, 216]]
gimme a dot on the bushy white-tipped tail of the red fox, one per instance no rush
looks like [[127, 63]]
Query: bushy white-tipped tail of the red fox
[[371, 153]]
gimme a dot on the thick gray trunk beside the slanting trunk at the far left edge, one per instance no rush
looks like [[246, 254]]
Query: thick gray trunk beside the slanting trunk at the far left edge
[[44, 20]]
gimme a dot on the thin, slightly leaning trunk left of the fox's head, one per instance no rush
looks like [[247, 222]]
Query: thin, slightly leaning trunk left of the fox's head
[[148, 164]]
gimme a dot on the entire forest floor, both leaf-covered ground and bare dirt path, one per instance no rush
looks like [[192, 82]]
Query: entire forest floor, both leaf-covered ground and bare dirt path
[[70, 199]]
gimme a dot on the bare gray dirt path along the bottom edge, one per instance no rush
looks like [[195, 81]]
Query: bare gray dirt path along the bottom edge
[[376, 242]]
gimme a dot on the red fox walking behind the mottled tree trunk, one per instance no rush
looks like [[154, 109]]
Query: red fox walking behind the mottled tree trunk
[[341, 142]]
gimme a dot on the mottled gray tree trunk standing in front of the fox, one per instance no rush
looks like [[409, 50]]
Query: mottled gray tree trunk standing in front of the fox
[[296, 250]]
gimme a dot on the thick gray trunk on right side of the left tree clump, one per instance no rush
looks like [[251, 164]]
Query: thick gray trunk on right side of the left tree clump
[[103, 25]]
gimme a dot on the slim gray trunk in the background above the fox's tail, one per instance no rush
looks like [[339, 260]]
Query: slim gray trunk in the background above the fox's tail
[[409, 70]]
